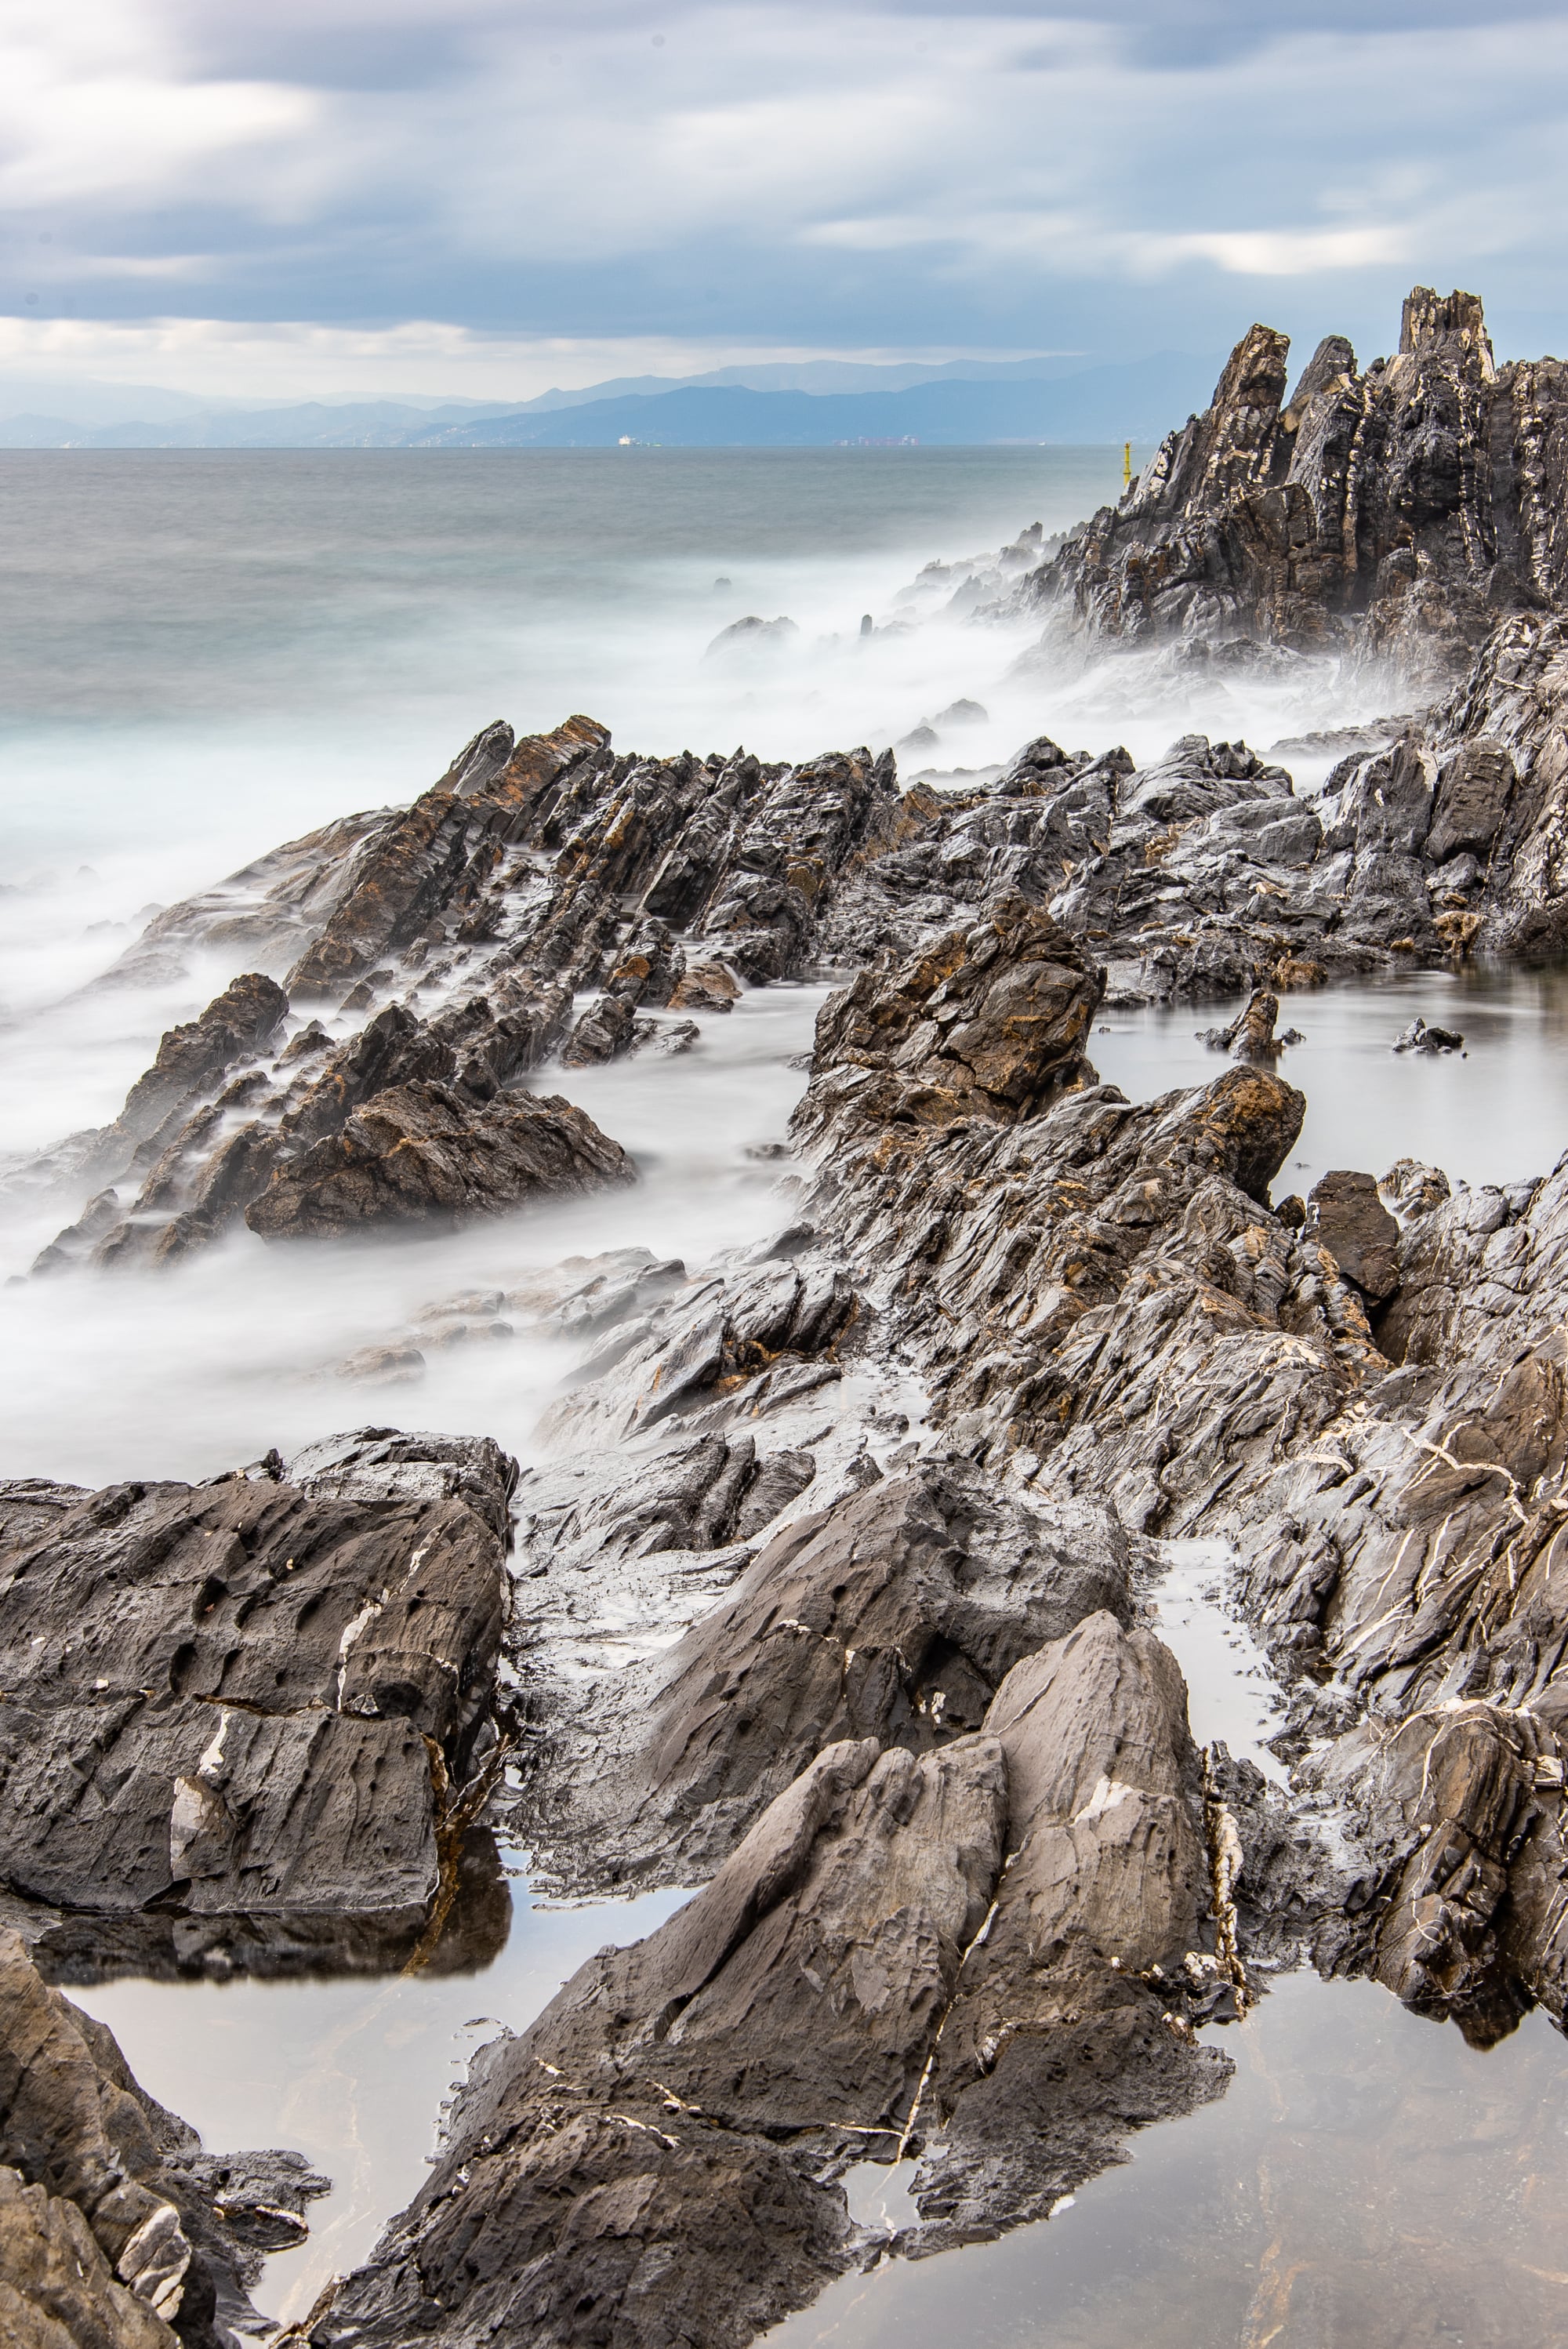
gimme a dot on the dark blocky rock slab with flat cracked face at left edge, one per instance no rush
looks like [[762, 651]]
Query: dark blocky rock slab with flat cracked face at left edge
[[250, 1716]]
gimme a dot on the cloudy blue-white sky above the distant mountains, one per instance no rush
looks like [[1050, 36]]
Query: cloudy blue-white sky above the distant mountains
[[485, 198]]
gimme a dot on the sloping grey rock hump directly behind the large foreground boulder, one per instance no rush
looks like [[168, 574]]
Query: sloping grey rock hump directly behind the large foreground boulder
[[893, 1613]]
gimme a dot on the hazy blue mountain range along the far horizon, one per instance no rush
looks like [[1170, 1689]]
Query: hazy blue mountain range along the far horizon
[[820, 405]]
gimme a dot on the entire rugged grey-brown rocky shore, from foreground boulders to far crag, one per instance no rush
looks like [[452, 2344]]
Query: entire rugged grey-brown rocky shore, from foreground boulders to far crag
[[827, 1596]]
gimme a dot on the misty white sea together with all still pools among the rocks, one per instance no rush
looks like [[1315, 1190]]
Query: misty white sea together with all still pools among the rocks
[[210, 652]]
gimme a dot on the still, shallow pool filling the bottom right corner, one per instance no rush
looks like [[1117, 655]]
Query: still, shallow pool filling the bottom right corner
[[1367, 2183]]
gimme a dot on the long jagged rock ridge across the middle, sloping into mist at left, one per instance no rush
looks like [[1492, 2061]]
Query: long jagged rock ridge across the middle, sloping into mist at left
[[562, 873]]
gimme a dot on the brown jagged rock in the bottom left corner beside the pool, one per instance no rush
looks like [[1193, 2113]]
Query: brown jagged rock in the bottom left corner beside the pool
[[116, 2228]]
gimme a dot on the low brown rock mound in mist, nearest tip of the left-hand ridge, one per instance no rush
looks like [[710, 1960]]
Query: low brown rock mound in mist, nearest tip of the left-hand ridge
[[421, 1155]]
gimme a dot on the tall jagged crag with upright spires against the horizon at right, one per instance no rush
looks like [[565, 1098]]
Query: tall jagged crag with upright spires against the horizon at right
[[1393, 513]]
